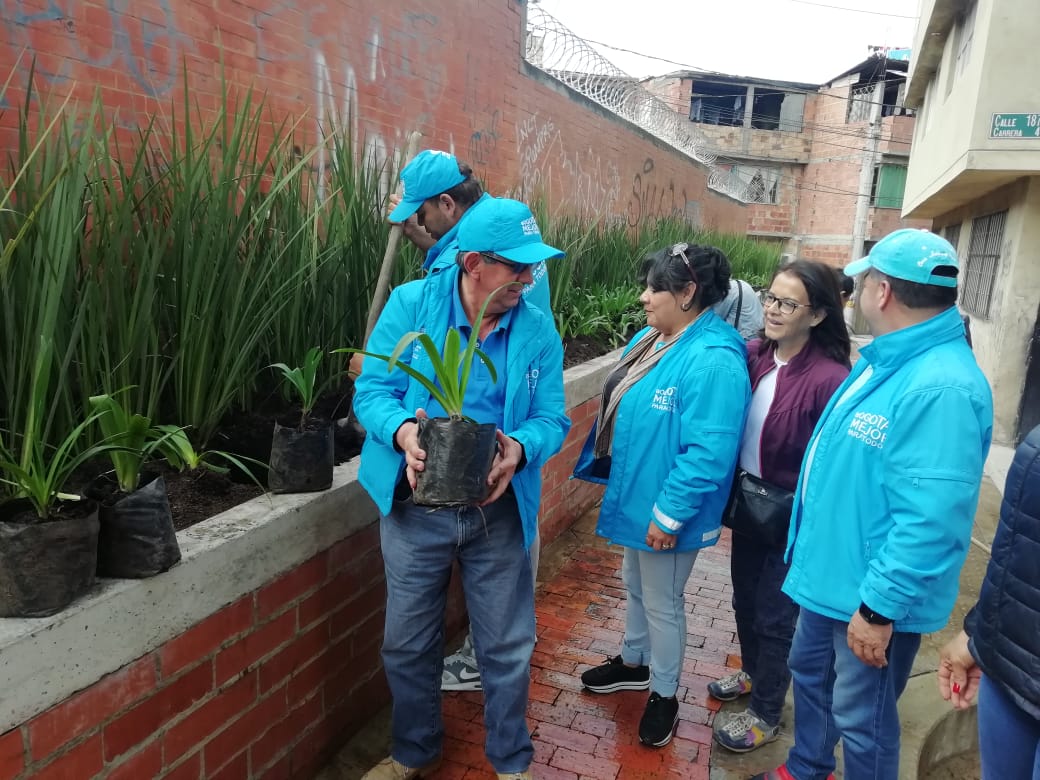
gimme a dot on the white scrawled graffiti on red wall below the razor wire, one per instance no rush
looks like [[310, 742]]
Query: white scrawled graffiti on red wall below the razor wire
[[594, 184]]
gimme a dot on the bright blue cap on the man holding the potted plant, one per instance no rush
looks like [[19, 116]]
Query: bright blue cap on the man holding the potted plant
[[507, 228]]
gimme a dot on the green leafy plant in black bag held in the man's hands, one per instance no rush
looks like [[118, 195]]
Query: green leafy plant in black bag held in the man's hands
[[460, 452]]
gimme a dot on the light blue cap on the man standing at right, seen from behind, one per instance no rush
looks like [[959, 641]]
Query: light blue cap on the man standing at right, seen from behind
[[914, 255]]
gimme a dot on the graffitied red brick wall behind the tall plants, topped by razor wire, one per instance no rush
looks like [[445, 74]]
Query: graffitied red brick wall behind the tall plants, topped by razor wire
[[379, 69]]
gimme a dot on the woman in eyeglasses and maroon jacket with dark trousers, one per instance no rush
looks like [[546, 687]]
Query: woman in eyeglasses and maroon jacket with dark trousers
[[795, 369]]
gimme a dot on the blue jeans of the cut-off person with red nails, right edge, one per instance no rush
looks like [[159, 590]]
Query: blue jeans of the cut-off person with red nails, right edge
[[1009, 738]]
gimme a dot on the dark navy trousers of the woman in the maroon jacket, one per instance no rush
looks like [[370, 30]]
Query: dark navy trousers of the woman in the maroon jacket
[[766, 619]]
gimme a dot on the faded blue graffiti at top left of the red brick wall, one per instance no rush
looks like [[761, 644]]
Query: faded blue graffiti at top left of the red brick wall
[[146, 45]]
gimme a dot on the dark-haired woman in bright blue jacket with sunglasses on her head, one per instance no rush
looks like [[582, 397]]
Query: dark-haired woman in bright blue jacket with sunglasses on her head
[[666, 443]]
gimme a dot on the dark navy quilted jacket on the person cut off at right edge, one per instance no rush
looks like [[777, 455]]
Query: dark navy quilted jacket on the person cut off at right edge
[[1004, 625]]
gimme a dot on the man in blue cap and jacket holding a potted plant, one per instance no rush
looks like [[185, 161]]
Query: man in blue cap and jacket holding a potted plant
[[519, 388]]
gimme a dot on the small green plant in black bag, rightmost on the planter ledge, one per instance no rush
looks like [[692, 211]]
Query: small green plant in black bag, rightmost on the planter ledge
[[302, 456]]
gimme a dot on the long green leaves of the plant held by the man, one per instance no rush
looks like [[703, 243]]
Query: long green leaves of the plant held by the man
[[452, 369]]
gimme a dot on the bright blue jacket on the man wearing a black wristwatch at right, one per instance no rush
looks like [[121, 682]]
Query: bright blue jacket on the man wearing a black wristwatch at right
[[891, 481]]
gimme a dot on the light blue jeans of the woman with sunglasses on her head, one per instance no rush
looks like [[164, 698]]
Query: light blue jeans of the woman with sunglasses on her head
[[656, 615]]
